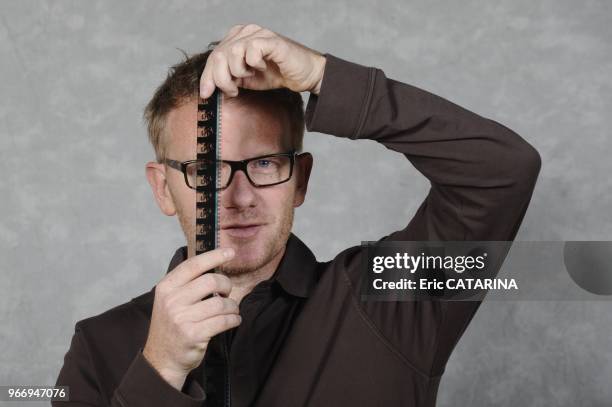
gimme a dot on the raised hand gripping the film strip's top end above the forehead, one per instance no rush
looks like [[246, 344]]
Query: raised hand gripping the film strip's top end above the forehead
[[256, 58]]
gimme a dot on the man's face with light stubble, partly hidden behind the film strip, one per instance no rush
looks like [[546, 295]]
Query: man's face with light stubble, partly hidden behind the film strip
[[247, 130]]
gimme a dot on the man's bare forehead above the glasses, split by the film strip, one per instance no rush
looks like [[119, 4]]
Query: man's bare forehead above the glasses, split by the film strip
[[247, 130]]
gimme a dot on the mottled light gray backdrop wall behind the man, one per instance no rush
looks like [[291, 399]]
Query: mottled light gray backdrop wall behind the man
[[80, 231]]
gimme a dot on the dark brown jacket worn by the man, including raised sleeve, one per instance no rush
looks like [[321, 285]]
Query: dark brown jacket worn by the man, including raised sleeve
[[340, 350]]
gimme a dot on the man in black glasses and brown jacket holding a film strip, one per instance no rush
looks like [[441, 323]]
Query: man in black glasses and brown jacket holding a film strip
[[298, 332]]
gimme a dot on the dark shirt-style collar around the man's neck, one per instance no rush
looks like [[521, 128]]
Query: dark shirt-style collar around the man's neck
[[296, 273]]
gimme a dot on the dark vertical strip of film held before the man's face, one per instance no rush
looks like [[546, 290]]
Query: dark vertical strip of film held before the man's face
[[207, 174]]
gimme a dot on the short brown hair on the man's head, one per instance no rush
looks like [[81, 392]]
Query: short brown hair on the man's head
[[182, 85]]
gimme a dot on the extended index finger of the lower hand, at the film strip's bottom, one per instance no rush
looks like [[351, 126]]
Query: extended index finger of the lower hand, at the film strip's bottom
[[196, 266]]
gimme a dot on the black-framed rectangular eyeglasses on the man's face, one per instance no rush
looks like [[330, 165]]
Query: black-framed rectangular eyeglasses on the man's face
[[262, 171]]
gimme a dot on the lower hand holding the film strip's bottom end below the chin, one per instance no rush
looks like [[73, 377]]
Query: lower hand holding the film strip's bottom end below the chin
[[181, 323]]
